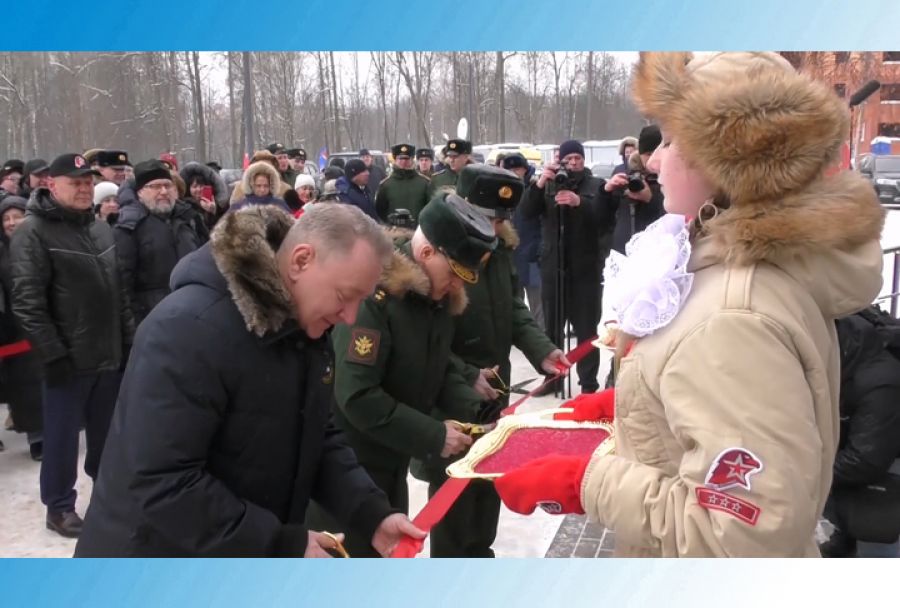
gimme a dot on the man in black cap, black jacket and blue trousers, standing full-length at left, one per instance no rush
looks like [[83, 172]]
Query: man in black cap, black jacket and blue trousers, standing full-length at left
[[69, 300]]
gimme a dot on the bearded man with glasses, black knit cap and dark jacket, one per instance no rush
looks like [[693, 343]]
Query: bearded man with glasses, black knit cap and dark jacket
[[152, 236]]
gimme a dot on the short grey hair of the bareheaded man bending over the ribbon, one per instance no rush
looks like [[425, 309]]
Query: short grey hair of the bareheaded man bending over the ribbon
[[335, 229]]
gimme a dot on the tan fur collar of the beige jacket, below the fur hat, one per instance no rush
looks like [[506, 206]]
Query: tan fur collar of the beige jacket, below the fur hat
[[839, 212]]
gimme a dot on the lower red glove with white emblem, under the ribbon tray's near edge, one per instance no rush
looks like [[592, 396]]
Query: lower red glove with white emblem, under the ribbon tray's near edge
[[552, 483]]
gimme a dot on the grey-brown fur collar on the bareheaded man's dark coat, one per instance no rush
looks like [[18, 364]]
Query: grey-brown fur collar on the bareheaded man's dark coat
[[244, 244]]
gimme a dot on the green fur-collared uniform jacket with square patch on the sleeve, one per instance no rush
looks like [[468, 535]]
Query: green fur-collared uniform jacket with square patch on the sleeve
[[395, 380]]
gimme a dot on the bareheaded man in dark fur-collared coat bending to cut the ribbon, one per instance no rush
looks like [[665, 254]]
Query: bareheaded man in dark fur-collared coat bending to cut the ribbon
[[223, 430]]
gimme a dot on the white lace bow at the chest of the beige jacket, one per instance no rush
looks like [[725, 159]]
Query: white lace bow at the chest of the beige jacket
[[648, 285]]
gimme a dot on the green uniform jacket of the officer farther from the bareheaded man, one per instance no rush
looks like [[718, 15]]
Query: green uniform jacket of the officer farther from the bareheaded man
[[496, 319]]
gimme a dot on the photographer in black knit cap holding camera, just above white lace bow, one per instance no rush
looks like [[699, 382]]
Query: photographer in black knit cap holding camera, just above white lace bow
[[633, 200]]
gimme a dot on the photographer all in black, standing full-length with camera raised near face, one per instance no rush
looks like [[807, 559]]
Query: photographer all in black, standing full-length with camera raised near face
[[566, 196]]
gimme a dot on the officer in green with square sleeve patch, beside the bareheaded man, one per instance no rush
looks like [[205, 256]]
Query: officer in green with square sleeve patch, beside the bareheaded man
[[397, 389]]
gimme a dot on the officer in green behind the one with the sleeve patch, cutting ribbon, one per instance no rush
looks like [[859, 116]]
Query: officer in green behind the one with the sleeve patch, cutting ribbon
[[495, 320]]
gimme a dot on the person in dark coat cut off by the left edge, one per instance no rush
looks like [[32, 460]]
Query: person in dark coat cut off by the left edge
[[21, 370]]
